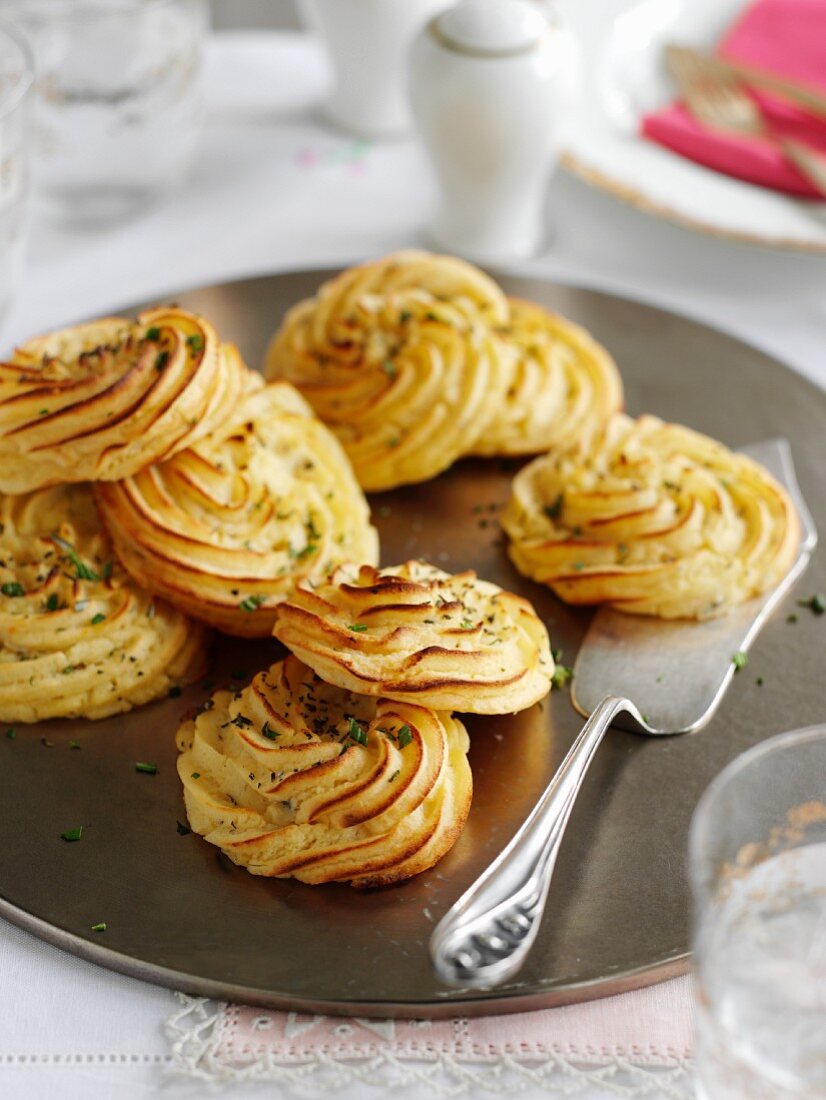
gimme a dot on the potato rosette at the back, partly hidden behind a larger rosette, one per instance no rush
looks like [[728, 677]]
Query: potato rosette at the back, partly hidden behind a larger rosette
[[563, 391]]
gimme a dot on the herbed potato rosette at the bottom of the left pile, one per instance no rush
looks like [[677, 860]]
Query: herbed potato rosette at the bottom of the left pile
[[79, 639]]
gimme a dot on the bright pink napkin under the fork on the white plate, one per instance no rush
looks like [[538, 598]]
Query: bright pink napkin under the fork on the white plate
[[783, 37]]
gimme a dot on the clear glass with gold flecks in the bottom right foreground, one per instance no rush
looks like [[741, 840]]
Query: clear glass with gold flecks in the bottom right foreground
[[758, 862]]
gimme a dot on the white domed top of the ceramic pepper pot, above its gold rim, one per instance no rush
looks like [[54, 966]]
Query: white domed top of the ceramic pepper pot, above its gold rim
[[491, 27]]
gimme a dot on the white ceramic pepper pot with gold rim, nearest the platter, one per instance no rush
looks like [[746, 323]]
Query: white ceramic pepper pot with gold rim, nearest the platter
[[490, 81]]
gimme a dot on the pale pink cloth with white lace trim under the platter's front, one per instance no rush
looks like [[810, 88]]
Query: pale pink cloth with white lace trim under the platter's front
[[637, 1044]]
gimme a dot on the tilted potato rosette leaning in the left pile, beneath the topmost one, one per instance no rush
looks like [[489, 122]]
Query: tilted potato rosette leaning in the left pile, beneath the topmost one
[[226, 529]]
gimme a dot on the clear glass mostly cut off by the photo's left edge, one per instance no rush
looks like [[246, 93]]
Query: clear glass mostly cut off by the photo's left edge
[[17, 75]]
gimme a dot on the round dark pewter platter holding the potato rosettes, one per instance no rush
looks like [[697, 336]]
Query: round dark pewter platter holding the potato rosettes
[[179, 914]]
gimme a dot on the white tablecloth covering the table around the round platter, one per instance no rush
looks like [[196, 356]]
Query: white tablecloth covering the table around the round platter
[[273, 190]]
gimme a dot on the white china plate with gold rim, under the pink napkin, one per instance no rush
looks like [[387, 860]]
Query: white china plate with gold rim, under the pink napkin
[[622, 79]]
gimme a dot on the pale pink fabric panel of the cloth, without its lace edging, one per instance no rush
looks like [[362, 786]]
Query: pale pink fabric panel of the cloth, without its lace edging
[[646, 1028]]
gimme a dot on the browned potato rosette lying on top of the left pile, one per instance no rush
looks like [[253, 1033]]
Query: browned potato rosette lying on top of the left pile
[[104, 400]]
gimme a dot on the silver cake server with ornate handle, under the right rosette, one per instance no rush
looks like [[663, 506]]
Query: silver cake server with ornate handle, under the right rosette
[[640, 674]]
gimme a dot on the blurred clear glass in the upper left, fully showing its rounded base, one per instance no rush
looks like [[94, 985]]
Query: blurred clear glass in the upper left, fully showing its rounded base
[[118, 101]]
